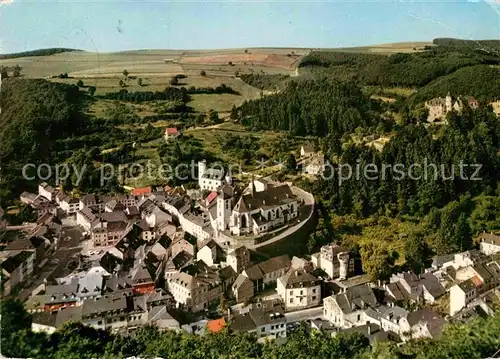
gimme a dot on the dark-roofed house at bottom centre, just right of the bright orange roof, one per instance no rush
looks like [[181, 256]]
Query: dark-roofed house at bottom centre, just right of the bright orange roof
[[266, 319]]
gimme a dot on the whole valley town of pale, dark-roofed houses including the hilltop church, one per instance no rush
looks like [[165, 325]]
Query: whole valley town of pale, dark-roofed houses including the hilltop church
[[155, 252]]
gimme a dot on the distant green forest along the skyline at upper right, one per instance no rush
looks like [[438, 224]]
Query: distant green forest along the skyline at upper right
[[400, 69]]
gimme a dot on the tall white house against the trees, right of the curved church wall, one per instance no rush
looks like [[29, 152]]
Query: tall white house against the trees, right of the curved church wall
[[334, 260]]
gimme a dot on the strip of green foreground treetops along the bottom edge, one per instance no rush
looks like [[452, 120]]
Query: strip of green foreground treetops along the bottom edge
[[476, 339]]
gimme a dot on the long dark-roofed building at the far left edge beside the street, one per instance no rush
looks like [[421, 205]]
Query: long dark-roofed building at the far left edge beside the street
[[16, 269]]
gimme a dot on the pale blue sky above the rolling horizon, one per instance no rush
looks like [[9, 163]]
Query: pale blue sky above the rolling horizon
[[118, 25]]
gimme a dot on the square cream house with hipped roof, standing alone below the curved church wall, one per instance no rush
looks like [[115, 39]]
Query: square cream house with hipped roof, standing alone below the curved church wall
[[299, 289]]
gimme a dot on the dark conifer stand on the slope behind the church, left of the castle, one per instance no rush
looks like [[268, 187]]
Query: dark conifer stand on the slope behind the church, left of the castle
[[312, 107]]
